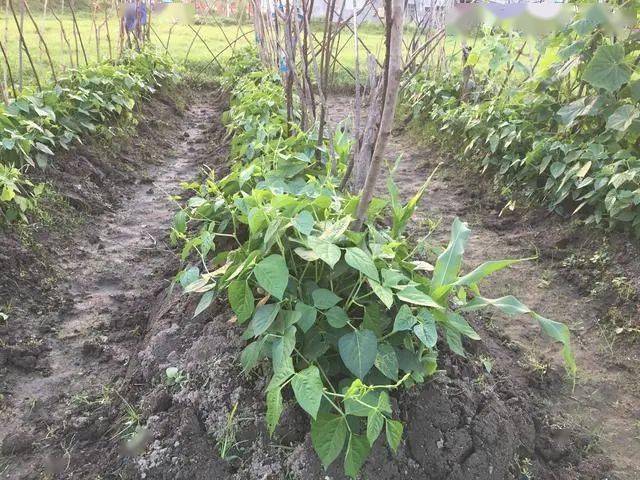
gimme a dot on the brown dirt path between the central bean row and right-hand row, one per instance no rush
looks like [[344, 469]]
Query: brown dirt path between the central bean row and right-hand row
[[606, 401]]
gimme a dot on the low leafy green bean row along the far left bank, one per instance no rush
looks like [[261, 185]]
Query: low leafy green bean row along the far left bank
[[35, 126]]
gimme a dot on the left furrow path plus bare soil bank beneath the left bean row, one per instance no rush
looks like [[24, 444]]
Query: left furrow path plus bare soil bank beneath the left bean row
[[78, 295]]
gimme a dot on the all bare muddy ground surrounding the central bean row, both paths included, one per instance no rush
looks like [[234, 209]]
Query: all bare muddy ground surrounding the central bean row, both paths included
[[94, 324]]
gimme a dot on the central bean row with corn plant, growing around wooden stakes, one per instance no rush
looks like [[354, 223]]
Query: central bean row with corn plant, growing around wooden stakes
[[342, 317]]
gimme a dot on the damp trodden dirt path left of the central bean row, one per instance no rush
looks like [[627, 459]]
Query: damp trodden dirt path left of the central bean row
[[108, 270]]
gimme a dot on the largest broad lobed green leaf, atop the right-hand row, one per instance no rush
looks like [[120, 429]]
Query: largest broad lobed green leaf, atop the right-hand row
[[608, 68]]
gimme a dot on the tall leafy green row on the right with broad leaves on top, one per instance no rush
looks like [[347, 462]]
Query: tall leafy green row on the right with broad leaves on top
[[566, 135]]
